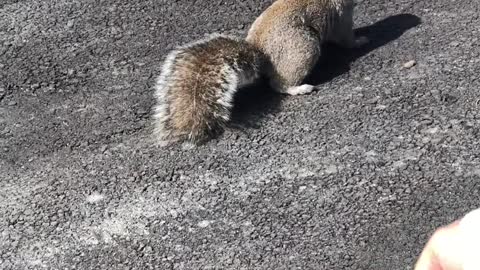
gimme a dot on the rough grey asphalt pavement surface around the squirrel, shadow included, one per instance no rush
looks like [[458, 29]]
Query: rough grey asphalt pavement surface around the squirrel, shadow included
[[354, 176]]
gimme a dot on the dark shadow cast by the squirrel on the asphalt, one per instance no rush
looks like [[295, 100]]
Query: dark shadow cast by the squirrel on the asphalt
[[254, 102]]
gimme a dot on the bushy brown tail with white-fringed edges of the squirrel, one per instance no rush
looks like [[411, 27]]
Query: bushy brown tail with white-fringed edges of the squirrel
[[197, 84]]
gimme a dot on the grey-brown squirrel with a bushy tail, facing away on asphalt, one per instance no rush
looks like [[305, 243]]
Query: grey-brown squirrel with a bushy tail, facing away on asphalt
[[198, 81]]
